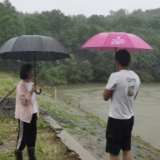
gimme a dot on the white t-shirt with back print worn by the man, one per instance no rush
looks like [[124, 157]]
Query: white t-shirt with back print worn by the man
[[125, 85]]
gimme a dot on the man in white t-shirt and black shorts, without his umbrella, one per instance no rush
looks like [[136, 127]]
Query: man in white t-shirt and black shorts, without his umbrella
[[122, 88]]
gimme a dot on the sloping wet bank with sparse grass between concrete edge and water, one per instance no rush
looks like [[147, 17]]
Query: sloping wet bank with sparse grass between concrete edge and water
[[89, 131]]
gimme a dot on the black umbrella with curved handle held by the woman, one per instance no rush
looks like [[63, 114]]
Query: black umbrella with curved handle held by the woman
[[33, 48]]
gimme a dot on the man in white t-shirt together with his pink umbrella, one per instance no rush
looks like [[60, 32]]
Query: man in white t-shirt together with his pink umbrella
[[122, 88]]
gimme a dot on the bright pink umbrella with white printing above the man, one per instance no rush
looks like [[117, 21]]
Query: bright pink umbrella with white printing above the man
[[113, 42]]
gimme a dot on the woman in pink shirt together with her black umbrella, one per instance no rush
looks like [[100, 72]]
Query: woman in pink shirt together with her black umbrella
[[30, 48]]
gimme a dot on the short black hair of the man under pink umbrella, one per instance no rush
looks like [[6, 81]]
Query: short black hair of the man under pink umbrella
[[123, 57]]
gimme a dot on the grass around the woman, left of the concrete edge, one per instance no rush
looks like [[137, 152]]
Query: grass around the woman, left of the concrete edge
[[47, 147]]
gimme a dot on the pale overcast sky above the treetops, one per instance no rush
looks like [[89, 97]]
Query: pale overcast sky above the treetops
[[86, 7]]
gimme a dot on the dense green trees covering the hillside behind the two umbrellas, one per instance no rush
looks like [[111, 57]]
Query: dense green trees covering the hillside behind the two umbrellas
[[73, 31]]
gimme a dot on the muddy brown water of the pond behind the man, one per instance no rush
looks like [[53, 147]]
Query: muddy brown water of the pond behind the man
[[146, 108]]
